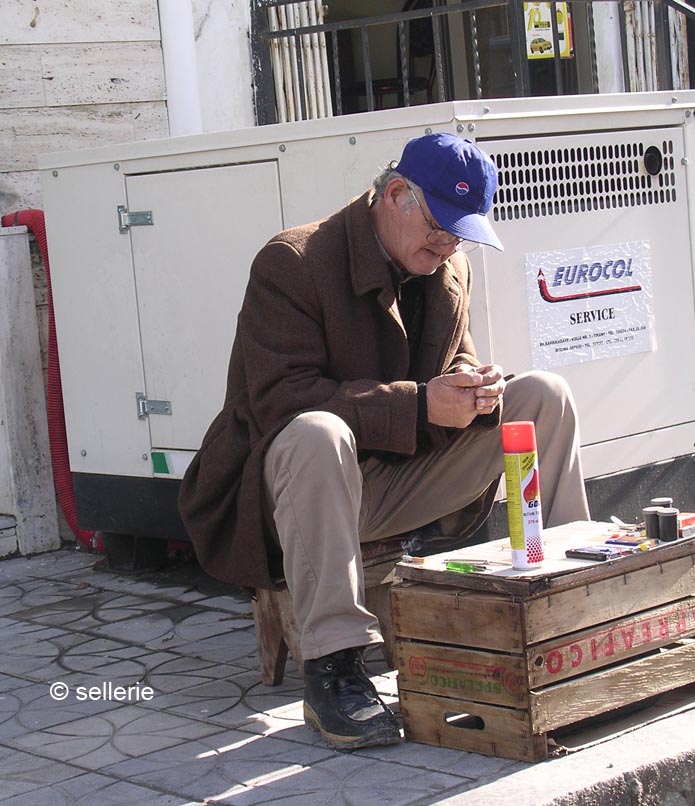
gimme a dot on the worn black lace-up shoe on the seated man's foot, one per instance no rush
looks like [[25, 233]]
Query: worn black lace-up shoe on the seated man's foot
[[341, 702]]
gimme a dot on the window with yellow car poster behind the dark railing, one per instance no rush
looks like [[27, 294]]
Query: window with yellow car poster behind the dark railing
[[314, 59]]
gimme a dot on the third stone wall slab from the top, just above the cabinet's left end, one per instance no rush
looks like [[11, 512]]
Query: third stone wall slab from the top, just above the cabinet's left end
[[27, 133]]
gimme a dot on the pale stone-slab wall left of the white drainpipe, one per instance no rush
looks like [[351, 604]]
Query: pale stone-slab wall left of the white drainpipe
[[70, 80]]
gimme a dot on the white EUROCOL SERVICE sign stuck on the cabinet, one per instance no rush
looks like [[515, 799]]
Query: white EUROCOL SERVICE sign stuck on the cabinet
[[589, 303]]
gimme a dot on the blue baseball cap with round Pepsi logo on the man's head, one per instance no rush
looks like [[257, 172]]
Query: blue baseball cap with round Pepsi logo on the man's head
[[458, 181]]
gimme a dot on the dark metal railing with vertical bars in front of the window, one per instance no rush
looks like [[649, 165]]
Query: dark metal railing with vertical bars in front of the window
[[440, 16]]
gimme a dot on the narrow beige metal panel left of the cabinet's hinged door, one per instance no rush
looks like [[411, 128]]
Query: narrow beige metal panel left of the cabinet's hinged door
[[96, 321]]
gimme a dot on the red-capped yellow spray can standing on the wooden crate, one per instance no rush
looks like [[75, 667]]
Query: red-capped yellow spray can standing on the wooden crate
[[523, 493]]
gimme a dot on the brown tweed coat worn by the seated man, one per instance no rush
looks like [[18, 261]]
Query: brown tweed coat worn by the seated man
[[319, 329]]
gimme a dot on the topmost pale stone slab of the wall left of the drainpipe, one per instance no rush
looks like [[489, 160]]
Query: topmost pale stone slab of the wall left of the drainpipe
[[29, 22]]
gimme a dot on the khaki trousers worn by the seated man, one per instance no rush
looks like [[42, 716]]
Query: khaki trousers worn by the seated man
[[324, 502]]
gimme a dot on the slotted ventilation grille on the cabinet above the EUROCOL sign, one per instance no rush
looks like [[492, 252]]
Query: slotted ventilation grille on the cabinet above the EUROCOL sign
[[560, 181]]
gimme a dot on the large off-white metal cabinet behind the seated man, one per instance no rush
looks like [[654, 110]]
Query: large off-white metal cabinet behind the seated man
[[152, 310]]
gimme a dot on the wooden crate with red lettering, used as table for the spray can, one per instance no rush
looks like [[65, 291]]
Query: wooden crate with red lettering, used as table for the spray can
[[492, 662]]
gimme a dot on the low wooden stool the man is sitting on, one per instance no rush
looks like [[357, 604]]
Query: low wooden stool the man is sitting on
[[277, 631]]
